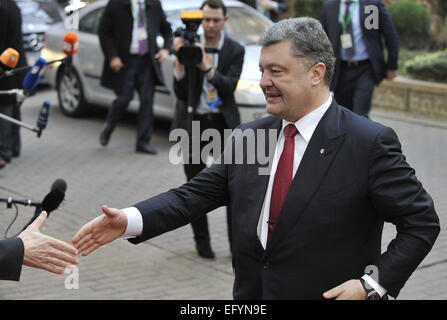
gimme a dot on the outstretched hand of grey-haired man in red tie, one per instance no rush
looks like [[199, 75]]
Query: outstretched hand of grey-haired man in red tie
[[100, 231]]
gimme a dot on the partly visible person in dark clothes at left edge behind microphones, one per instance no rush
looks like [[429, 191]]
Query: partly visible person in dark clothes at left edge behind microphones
[[10, 37]]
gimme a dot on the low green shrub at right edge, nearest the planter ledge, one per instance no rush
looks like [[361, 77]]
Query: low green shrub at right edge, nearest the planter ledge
[[428, 66]]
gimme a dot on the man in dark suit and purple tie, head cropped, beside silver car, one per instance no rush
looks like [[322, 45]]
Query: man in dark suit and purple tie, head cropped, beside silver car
[[127, 33]]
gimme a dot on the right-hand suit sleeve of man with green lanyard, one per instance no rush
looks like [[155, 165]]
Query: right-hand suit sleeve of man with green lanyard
[[390, 35]]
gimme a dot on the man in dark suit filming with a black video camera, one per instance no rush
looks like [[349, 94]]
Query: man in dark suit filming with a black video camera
[[214, 104]]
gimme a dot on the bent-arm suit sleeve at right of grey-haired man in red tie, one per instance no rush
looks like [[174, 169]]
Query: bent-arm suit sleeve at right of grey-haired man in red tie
[[399, 197]]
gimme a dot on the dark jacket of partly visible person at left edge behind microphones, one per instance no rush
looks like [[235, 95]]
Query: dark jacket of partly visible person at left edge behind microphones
[[11, 37]]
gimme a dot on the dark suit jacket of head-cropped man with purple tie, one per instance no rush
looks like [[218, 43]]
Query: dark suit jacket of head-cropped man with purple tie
[[115, 36]]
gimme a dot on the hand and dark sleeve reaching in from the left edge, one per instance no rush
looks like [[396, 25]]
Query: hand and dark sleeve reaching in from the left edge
[[34, 249]]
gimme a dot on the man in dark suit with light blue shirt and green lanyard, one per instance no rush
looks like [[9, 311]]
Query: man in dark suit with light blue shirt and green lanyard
[[356, 29]]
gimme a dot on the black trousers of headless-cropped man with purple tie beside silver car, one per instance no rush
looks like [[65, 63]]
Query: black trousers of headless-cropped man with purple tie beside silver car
[[139, 76]]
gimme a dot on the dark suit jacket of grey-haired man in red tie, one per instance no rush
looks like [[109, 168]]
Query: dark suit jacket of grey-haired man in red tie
[[330, 225]]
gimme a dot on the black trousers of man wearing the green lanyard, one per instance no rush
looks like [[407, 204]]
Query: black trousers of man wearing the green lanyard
[[355, 87]]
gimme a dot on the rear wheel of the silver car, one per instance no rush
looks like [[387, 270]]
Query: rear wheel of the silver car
[[70, 94]]
